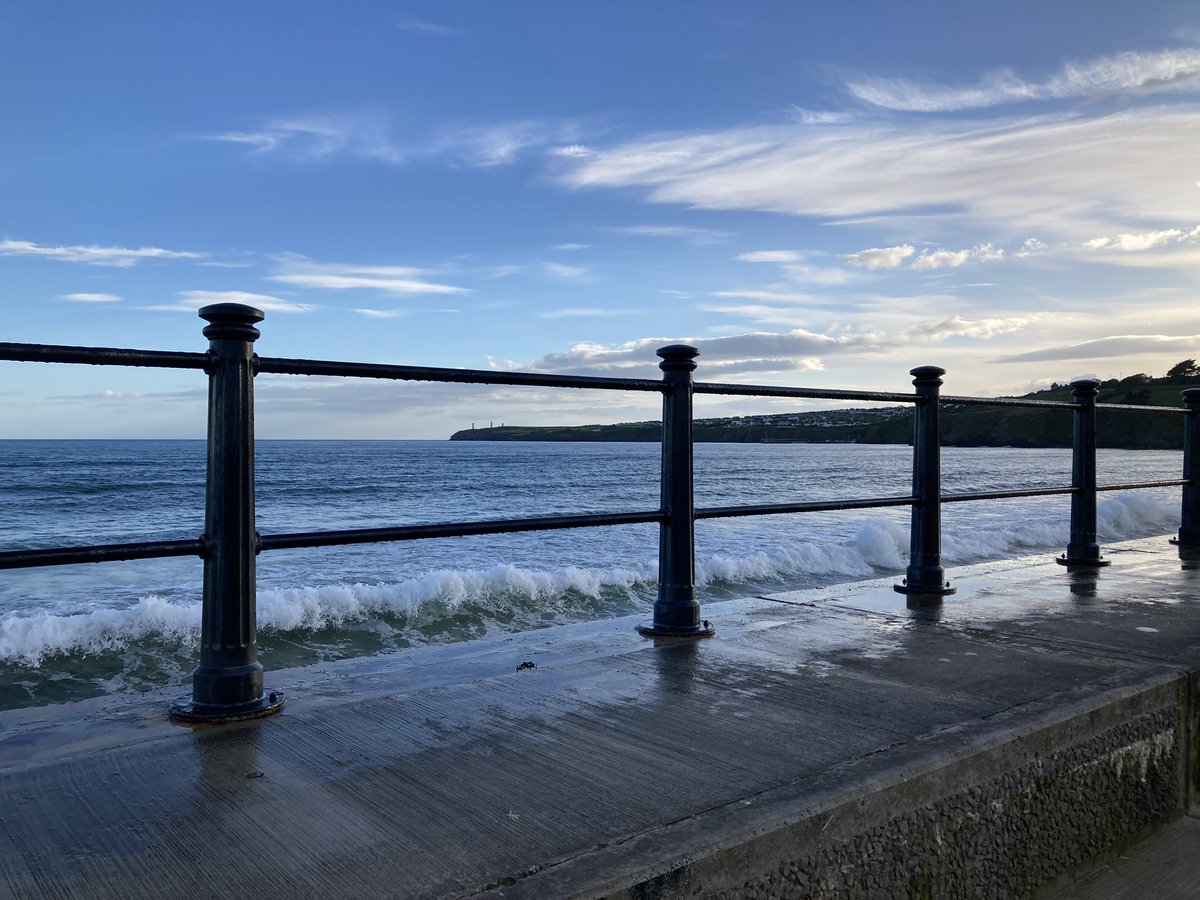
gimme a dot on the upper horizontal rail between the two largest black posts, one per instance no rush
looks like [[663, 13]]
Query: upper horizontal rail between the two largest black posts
[[277, 365]]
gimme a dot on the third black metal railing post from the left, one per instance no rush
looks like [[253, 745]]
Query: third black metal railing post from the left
[[926, 575]]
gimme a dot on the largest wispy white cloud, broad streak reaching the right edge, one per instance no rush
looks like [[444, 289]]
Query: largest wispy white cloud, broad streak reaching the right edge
[[1069, 177]]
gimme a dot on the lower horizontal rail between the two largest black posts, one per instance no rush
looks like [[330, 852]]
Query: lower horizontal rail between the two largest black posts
[[454, 530]]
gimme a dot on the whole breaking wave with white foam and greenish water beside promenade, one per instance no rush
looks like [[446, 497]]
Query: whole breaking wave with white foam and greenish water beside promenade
[[340, 620]]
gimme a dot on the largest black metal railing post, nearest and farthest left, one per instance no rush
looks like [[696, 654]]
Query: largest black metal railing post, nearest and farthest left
[[229, 683]]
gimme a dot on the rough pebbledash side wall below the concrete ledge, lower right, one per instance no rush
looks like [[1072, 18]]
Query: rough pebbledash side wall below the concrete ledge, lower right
[[1010, 831]]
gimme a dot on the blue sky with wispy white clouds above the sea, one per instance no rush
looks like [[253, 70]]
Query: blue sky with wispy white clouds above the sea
[[814, 194]]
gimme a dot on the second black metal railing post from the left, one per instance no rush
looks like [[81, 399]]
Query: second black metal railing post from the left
[[676, 610]]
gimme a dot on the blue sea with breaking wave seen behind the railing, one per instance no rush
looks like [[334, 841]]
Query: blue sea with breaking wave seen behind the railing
[[69, 633]]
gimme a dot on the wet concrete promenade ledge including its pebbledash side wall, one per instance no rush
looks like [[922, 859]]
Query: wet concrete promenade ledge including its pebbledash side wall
[[827, 743]]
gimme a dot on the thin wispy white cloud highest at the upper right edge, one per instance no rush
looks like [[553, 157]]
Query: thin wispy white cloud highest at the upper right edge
[[1119, 74]]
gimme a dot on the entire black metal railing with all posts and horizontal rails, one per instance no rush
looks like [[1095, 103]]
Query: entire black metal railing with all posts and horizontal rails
[[229, 682]]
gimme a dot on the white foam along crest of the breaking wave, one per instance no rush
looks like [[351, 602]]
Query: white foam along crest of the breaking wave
[[879, 547]]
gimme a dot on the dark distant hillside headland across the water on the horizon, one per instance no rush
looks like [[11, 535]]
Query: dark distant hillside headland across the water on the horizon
[[962, 425]]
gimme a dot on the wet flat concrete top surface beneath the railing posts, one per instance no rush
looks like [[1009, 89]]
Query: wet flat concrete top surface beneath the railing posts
[[449, 771]]
